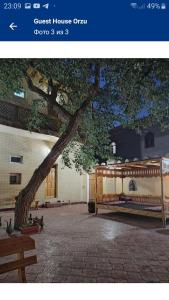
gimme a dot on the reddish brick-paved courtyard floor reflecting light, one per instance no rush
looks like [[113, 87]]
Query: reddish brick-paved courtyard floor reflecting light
[[77, 247]]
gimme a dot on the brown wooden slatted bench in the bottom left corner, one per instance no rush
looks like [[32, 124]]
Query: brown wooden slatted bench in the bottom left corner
[[17, 245]]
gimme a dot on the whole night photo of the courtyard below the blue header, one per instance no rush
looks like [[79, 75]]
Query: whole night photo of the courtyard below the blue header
[[84, 177]]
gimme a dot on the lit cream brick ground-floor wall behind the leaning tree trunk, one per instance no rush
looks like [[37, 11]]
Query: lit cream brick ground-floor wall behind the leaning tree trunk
[[71, 185]]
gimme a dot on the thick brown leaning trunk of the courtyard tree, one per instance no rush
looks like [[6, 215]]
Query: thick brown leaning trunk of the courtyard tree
[[27, 195]]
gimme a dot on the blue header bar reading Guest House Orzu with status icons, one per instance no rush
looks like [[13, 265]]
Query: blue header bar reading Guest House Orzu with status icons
[[85, 20]]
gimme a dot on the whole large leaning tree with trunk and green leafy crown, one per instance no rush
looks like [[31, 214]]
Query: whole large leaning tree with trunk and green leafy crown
[[88, 97]]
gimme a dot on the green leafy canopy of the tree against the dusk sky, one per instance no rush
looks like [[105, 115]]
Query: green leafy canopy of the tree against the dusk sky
[[129, 90]]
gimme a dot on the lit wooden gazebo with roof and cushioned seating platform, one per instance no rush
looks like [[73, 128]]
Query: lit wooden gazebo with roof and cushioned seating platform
[[149, 198]]
